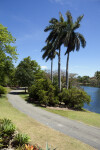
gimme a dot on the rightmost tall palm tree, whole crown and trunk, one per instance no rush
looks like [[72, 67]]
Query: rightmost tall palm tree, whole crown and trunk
[[71, 39]]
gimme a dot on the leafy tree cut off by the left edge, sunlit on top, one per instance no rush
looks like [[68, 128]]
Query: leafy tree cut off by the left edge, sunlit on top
[[7, 54]]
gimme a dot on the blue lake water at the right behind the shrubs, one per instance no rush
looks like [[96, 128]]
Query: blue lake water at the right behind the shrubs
[[95, 97]]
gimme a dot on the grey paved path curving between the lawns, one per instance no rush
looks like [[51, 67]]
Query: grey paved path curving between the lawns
[[87, 134]]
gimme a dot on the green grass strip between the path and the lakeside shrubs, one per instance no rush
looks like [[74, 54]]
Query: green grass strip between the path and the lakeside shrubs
[[84, 116]]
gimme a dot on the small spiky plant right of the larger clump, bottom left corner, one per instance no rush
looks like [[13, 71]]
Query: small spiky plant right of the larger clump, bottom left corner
[[21, 139]]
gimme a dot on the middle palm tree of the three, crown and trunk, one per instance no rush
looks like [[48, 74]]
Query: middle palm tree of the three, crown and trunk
[[56, 41]]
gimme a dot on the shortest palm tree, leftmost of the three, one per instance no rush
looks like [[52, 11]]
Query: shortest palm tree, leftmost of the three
[[48, 54]]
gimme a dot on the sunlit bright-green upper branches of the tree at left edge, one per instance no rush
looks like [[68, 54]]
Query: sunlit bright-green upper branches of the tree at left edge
[[5, 40]]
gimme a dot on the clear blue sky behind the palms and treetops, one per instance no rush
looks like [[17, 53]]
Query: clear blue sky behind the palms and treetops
[[27, 19]]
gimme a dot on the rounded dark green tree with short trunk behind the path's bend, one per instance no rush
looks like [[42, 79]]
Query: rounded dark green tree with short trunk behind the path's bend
[[27, 71]]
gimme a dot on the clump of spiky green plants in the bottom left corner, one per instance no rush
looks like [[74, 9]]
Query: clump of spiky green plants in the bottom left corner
[[9, 136]]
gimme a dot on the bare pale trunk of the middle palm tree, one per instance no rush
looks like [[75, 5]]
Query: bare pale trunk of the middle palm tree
[[59, 70]]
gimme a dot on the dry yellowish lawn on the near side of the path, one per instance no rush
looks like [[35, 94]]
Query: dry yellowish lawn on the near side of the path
[[39, 133]]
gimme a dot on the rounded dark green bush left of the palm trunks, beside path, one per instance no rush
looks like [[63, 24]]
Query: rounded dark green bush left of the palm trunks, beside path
[[43, 91]]
